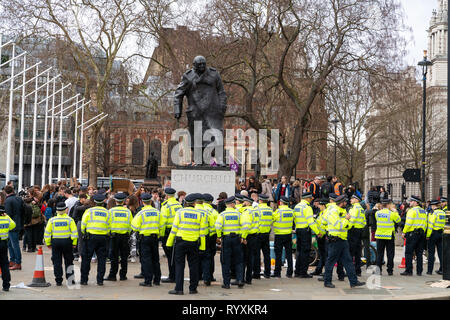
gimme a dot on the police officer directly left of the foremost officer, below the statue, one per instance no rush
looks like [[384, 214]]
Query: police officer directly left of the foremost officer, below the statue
[[168, 210]]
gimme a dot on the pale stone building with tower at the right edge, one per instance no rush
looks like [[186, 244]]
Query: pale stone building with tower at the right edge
[[382, 170]]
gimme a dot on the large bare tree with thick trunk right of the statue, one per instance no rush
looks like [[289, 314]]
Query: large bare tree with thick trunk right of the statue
[[290, 48]]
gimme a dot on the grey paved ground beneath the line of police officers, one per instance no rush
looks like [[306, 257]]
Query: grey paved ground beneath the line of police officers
[[392, 288]]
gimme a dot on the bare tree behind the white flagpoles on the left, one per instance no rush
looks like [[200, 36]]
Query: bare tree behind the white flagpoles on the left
[[96, 32]]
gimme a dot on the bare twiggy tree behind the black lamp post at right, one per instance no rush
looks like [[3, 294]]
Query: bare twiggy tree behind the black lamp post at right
[[399, 117]]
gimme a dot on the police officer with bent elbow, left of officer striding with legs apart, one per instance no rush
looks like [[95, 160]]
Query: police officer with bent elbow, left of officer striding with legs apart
[[304, 223]]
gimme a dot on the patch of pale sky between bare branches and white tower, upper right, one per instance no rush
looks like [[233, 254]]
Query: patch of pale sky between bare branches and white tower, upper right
[[418, 15]]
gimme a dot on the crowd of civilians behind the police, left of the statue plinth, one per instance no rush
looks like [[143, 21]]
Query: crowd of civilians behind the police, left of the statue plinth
[[33, 207]]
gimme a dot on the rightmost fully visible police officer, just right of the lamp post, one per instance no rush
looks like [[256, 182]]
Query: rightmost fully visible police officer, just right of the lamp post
[[436, 224]]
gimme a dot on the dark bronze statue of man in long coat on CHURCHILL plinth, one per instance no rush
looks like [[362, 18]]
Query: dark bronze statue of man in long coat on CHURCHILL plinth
[[206, 97]]
